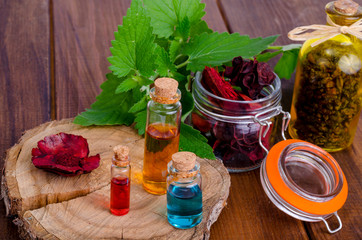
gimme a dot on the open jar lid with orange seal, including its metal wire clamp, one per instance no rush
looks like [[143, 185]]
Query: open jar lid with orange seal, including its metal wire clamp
[[302, 179]]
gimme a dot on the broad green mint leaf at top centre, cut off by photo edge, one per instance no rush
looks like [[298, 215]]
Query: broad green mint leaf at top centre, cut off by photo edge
[[166, 15]]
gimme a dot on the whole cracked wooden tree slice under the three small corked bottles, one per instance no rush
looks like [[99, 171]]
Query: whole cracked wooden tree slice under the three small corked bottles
[[56, 207]]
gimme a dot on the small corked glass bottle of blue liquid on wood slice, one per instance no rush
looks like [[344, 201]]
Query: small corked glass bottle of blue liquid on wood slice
[[184, 195]]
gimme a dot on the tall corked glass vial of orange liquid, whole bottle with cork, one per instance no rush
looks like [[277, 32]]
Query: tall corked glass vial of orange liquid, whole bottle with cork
[[162, 133]]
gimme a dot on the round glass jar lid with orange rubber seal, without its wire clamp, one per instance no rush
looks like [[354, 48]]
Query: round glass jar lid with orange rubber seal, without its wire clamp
[[306, 176]]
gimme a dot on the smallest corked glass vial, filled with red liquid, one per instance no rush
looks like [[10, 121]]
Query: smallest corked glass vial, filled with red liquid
[[120, 181]]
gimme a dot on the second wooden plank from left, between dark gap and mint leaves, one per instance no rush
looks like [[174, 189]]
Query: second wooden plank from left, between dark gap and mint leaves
[[83, 31]]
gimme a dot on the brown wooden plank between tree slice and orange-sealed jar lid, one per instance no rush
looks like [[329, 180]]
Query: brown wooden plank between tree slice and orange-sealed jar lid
[[250, 215]]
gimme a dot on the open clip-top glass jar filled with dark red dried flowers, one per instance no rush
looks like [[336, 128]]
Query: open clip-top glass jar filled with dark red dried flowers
[[229, 107]]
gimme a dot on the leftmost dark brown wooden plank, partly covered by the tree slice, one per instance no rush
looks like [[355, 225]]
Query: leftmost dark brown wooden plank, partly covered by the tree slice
[[24, 77]]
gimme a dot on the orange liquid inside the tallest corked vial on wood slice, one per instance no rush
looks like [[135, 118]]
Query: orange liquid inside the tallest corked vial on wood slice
[[162, 140]]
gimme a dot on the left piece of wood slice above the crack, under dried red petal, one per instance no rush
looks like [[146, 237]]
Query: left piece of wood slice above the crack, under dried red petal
[[27, 187]]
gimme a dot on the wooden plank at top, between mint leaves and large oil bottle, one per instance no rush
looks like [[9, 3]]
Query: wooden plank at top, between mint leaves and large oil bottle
[[261, 18]]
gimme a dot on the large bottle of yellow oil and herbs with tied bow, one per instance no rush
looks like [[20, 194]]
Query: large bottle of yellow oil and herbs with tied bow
[[328, 87]]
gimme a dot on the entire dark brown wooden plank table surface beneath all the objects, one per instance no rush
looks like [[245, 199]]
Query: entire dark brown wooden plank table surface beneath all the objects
[[53, 59]]
